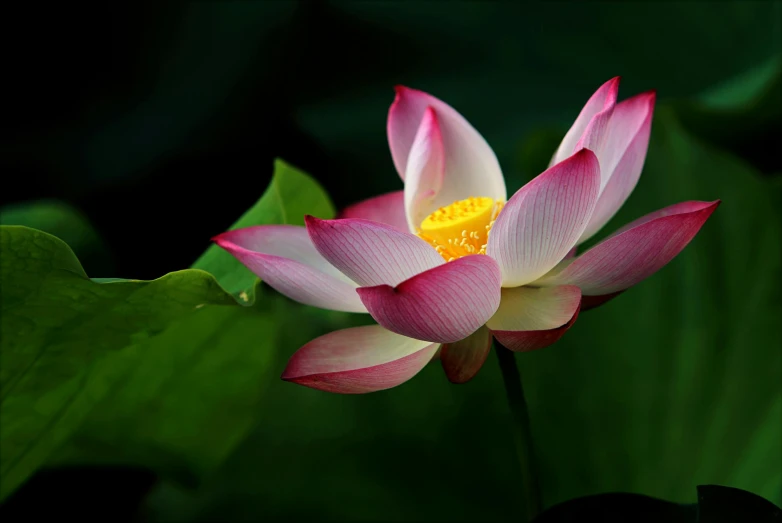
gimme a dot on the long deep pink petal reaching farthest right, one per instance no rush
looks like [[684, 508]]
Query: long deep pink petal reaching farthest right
[[635, 253]]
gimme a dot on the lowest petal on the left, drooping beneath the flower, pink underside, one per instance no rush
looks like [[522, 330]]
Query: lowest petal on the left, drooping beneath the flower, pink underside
[[358, 360]]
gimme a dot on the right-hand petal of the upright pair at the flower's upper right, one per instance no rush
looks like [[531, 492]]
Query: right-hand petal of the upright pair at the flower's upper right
[[622, 158]]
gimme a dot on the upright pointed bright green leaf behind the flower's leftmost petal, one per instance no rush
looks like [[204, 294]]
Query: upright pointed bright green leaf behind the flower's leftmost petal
[[290, 195]]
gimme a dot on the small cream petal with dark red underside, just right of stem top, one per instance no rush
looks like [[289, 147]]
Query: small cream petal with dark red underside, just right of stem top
[[533, 318]]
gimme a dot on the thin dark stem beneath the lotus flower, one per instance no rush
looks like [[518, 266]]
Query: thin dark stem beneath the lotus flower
[[522, 436]]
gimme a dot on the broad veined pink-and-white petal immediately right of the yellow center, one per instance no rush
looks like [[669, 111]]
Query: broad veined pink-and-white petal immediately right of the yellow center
[[544, 219]]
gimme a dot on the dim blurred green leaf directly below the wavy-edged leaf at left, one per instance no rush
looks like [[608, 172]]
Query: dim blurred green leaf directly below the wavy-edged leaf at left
[[188, 396]]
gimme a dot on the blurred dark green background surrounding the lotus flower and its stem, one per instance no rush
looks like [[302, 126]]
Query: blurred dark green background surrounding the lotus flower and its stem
[[136, 133]]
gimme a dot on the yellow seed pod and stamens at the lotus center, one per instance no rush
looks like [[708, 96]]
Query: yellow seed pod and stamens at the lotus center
[[461, 228]]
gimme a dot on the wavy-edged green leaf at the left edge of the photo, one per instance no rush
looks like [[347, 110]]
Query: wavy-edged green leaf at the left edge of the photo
[[55, 324]]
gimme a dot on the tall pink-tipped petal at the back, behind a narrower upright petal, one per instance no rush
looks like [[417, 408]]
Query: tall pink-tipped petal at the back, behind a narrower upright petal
[[471, 167]]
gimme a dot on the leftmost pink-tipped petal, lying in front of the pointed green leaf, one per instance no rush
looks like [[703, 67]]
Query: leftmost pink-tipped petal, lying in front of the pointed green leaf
[[284, 257]]
